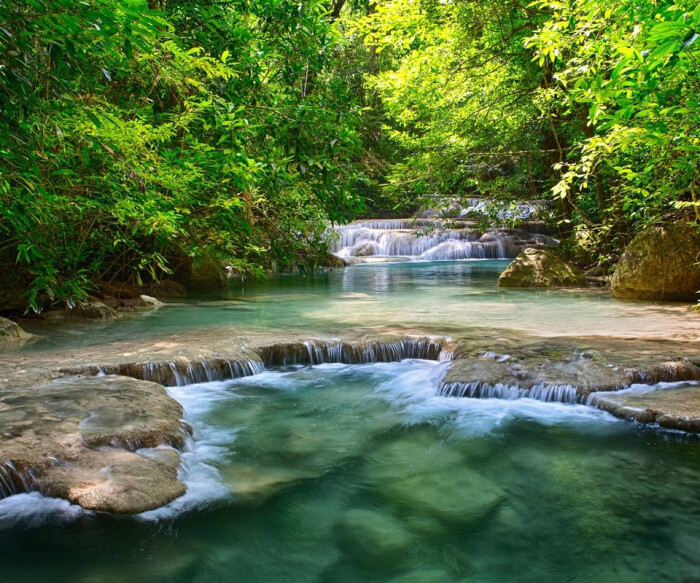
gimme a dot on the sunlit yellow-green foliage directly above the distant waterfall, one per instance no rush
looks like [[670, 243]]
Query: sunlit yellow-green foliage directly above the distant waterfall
[[457, 88]]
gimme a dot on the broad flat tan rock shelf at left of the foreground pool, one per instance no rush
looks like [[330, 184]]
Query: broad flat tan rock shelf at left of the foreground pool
[[74, 439]]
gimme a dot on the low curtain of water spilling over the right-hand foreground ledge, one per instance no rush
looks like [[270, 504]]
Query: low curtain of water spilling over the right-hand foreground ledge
[[544, 392]]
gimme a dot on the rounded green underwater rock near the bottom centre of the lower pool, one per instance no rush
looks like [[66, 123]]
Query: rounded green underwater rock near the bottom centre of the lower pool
[[374, 538]]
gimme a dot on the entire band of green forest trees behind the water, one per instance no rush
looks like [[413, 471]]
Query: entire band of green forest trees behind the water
[[139, 135]]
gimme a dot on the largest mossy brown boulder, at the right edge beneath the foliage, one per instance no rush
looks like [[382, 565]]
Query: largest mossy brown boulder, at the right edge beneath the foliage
[[661, 263]]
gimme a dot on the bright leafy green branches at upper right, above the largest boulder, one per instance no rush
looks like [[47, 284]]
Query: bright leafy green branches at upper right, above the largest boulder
[[631, 70]]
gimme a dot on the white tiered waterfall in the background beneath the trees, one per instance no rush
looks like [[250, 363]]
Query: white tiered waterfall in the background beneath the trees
[[426, 240]]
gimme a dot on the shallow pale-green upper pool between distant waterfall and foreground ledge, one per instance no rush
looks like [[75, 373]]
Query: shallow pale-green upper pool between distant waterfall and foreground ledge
[[444, 298]]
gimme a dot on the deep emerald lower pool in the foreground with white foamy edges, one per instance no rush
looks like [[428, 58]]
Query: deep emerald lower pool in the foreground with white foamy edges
[[340, 473]]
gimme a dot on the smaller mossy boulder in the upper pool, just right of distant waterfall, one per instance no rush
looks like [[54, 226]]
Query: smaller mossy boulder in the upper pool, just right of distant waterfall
[[541, 268]]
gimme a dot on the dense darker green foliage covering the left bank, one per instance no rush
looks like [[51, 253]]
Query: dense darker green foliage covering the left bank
[[133, 138]]
